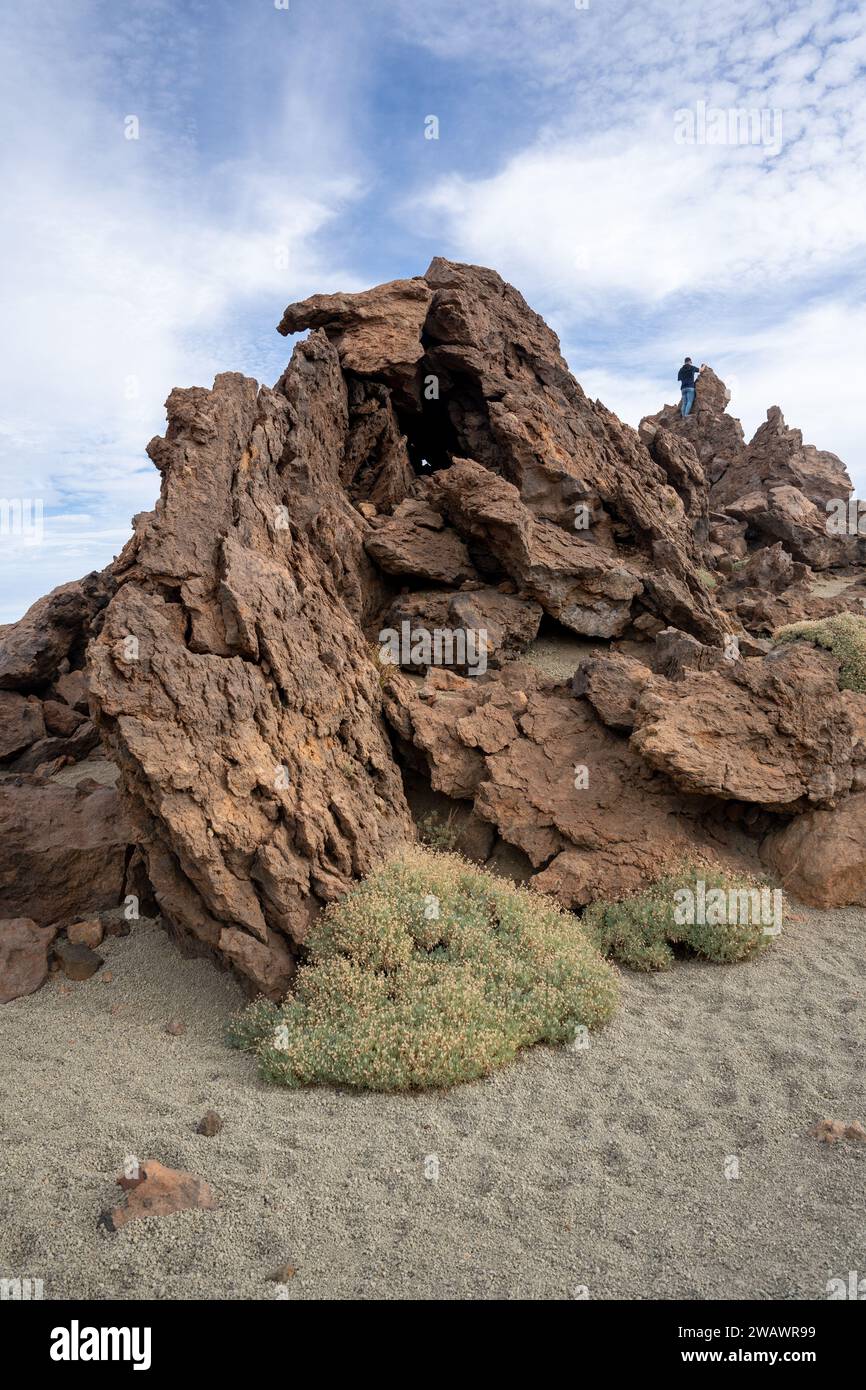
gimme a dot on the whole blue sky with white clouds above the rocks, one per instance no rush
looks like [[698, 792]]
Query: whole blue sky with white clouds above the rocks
[[658, 180]]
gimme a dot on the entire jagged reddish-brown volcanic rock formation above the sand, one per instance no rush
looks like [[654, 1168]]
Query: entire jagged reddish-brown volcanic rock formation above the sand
[[261, 672]]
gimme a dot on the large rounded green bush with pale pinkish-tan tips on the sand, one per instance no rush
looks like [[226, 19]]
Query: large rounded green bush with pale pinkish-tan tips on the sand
[[427, 974]]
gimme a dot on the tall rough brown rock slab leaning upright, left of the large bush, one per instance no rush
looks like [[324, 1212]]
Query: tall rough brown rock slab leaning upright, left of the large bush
[[231, 679]]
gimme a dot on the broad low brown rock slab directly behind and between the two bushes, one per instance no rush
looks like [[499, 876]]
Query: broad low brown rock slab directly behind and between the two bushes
[[539, 765]]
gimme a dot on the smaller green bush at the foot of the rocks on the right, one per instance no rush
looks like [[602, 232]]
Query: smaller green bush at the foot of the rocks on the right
[[642, 931]]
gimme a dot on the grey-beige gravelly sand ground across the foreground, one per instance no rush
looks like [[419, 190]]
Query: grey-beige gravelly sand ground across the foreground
[[601, 1170]]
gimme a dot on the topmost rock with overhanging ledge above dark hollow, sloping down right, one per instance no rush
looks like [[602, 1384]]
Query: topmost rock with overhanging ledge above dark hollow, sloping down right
[[493, 390]]
